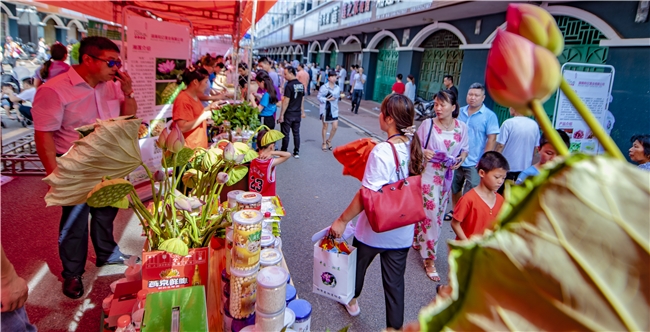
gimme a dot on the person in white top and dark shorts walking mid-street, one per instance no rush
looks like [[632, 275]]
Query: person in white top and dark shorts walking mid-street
[[329, 95]]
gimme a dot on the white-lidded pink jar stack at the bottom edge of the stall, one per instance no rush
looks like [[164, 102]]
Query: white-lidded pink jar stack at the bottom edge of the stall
[[271, 298]]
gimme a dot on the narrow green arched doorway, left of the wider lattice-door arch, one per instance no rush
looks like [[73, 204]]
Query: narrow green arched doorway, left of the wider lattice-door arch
[[386, 68]]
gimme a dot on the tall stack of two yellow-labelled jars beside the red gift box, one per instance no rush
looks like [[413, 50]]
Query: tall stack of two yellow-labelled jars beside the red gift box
[[247, 230]]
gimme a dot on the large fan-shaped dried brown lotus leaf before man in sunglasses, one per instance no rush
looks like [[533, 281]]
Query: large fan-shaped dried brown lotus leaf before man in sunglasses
[[111, 150]]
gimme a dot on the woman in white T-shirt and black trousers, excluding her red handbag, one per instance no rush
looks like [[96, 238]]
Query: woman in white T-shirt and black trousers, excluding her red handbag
[[396, 119]]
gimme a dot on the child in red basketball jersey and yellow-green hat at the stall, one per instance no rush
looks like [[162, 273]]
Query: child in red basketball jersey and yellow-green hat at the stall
[[261, 175]]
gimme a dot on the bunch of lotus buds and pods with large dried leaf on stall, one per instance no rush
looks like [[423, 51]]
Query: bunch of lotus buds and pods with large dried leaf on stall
[[175, 220]]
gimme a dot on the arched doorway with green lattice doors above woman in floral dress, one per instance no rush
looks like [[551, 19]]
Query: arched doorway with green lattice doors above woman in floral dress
[[441, 57]]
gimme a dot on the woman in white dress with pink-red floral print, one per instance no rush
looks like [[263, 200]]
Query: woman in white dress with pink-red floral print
[[445, 144]]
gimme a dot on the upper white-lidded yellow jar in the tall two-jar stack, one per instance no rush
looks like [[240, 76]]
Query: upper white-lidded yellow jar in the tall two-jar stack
[[247, 231]]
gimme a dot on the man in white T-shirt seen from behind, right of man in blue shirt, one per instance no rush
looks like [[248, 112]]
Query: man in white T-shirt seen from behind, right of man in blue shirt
[[517, 140]]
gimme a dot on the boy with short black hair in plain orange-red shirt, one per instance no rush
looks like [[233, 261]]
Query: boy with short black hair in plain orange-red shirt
[[478, 208]]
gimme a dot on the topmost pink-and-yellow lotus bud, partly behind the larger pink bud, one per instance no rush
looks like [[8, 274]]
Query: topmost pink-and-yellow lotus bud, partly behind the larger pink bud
[[536, 25]]
